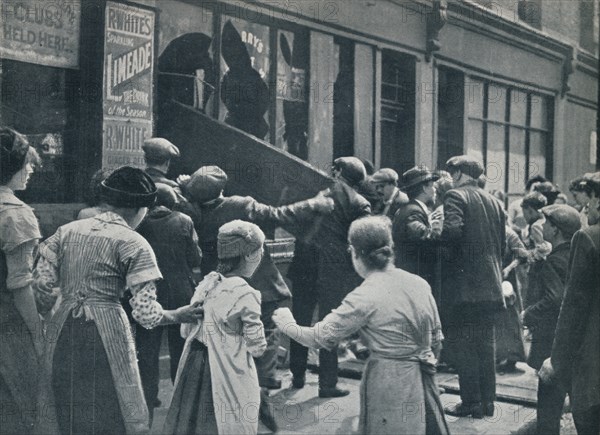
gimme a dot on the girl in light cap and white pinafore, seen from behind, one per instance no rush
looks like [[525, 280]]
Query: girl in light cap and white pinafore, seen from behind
[[216, 389]]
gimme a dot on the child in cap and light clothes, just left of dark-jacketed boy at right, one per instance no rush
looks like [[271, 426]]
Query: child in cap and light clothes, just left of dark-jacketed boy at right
[[533, 237]]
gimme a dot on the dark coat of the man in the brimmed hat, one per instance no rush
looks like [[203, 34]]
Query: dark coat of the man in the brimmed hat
[[414, 246]]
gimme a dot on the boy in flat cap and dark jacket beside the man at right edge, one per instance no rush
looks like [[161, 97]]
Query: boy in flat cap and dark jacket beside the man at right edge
[[547, 284]]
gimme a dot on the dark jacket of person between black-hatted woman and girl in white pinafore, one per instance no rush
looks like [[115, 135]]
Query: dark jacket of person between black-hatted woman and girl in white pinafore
[[172, 237]]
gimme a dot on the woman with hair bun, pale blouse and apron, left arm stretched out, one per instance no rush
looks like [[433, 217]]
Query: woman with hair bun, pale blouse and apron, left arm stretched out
[[396, 316]]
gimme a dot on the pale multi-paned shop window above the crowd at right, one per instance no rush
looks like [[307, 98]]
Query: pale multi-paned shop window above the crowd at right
[[510, 132]]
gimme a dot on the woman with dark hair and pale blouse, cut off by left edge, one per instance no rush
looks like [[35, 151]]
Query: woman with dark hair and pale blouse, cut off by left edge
[[20, 342]]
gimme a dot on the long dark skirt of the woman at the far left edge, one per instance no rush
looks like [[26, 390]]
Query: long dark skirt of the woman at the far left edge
[[19, 371]]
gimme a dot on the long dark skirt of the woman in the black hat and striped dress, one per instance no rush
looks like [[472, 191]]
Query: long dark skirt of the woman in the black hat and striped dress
[[84, 391]]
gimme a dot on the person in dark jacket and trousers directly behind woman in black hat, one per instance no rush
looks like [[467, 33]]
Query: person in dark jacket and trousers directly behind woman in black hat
[[172, 237]]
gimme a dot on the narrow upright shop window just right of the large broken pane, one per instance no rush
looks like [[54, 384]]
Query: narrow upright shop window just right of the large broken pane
[[291, 120]]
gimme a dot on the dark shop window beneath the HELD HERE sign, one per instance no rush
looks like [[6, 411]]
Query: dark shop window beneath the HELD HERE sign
[[42, 103]]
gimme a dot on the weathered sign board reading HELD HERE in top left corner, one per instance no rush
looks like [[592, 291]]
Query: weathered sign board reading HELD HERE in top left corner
[[41, 32]]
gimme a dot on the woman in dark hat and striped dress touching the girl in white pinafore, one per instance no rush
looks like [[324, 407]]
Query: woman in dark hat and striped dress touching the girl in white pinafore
[[90, 356]]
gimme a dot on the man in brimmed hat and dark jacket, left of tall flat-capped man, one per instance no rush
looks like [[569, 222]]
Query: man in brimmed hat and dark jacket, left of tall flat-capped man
[[414, 236]]
